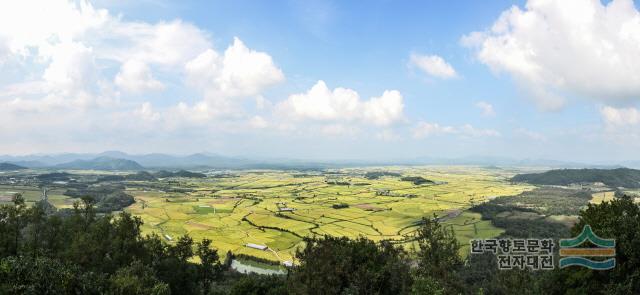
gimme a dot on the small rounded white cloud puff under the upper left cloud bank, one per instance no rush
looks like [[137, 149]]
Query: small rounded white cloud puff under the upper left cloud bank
[[135, 77]]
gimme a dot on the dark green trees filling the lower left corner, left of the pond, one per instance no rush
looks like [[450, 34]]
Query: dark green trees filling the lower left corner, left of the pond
[[86, 253]]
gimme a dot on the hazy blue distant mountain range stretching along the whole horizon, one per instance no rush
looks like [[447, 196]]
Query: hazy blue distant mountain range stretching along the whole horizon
[[116, 160]]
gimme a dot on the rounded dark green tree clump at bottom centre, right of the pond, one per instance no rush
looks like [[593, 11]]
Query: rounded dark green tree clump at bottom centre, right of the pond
[[333, 265]]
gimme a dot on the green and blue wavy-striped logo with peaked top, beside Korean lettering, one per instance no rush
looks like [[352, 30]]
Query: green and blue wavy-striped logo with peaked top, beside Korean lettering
[[572, 255]]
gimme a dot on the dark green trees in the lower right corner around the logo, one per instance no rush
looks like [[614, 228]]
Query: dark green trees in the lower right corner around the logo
[[618, 219]]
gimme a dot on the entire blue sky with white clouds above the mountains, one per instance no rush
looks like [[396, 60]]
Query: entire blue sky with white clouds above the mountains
[[322, 79]]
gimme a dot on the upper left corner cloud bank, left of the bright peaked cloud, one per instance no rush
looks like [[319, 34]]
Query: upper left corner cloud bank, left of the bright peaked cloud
[[76, 44]]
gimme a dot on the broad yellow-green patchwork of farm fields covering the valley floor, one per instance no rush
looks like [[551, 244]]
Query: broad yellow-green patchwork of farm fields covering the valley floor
[[277, 208]]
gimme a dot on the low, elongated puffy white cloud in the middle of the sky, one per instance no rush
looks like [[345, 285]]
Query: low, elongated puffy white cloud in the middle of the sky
[[342, 104]]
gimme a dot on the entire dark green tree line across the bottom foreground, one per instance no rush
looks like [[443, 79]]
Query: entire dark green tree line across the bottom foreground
[[89, 253]]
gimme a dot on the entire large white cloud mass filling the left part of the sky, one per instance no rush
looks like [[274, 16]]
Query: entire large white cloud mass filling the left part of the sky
[[76, 57]]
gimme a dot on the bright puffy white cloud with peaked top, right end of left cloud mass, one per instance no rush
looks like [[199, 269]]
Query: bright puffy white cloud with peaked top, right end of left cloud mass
[[239, 72]]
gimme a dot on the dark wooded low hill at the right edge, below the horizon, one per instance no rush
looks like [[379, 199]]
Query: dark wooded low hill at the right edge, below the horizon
[[621, 177]]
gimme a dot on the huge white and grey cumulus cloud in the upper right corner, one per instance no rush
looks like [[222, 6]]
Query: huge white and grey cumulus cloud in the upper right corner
[[559, 48]]
